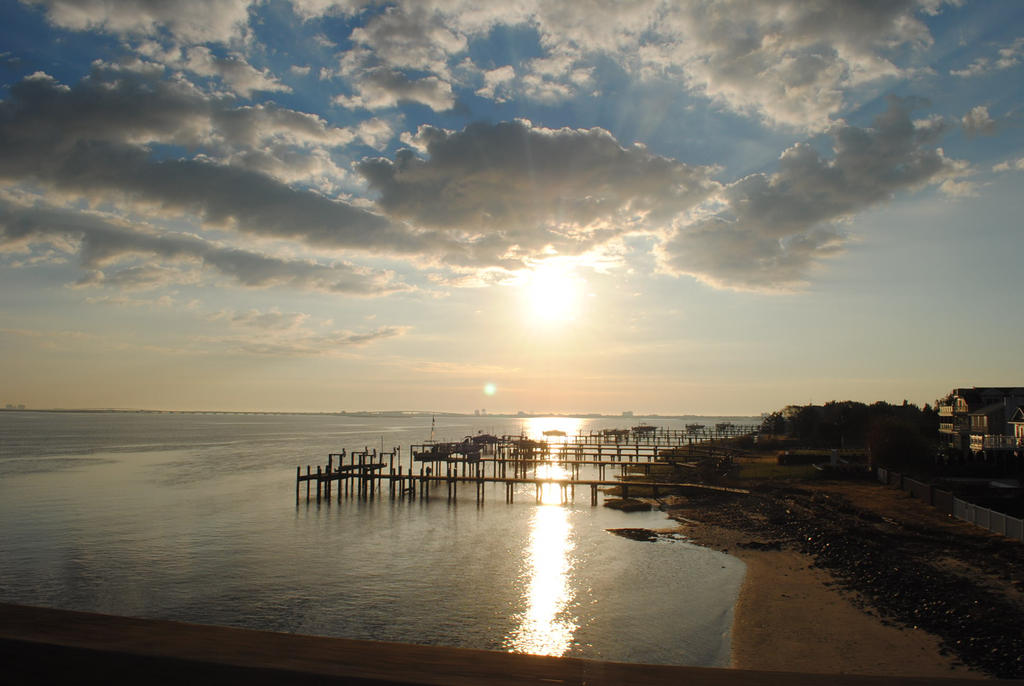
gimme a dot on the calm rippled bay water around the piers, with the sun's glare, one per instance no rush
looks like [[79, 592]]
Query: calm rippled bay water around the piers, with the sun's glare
[[193, 518]]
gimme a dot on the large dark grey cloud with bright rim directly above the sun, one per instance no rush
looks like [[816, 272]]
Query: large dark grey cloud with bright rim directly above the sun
[[516, 188]]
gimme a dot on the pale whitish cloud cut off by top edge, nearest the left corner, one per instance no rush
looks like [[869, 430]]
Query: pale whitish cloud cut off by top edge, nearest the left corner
[[190, 22]]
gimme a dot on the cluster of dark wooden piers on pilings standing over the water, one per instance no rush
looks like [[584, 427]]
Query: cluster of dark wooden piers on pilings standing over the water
[[515, 462]]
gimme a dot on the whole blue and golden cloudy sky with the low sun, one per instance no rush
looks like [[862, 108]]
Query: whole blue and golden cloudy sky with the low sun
[[719, 207]]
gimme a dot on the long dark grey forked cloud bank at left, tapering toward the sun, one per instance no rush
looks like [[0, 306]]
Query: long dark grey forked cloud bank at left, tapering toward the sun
[[87, 141]]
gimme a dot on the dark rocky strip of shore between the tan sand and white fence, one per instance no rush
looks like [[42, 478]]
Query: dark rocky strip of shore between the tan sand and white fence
[[958, 583]]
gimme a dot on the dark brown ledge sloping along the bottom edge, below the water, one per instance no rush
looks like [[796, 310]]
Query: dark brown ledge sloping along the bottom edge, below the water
[[48, 647]]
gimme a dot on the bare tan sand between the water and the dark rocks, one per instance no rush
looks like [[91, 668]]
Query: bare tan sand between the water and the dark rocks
[[793, 617]]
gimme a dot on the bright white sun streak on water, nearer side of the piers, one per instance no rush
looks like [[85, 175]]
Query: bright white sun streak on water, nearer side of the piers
[[546, 627]]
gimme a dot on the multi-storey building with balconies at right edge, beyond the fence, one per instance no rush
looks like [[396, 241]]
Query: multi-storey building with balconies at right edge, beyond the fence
[[984, 422]]
